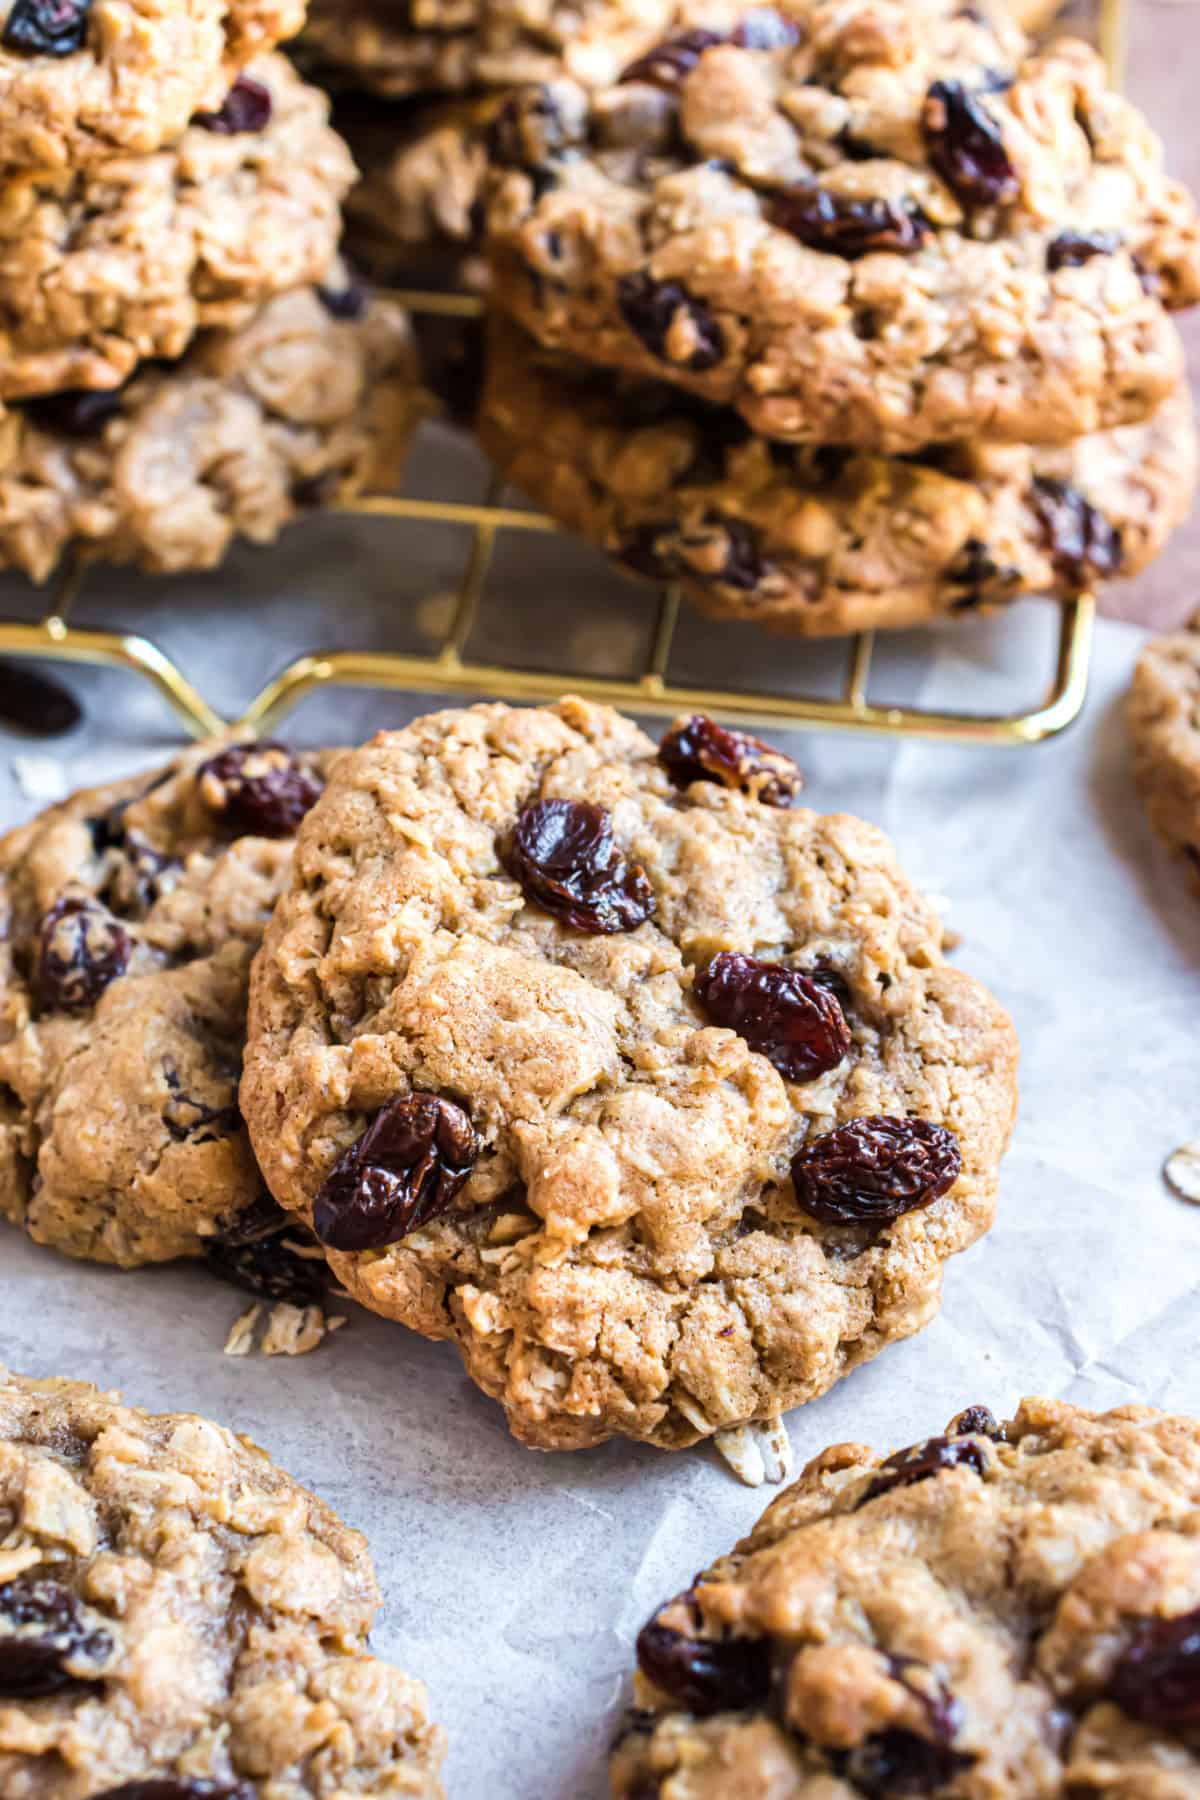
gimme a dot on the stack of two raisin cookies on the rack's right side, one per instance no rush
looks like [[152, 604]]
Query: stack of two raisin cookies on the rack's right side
[[843, 316]]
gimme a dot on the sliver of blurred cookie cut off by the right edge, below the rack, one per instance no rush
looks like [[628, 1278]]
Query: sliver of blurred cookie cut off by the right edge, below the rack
[[1165, 726]]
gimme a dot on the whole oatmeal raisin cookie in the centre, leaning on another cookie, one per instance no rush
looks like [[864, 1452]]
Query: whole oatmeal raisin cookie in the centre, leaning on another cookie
[[645, 1086]]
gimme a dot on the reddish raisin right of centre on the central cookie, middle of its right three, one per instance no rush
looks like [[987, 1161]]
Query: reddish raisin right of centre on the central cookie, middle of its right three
[[780, 1012]]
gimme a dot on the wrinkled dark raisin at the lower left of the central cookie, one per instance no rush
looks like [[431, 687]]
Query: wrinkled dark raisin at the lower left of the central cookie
[[402, 1174]]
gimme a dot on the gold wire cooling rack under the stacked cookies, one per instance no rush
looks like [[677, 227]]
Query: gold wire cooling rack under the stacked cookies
[[451, 670]]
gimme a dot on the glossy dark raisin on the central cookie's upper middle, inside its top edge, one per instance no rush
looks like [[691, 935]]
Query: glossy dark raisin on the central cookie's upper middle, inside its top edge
[[566, 859]]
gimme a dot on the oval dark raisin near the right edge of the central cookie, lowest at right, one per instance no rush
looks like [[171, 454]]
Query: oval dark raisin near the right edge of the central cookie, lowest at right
[[875, 1169]]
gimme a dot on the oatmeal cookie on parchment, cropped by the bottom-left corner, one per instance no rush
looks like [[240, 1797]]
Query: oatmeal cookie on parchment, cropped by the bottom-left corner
[[183, 1621]]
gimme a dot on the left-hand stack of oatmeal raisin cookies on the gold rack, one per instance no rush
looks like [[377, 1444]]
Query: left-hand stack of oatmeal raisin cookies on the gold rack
[[183, 357]]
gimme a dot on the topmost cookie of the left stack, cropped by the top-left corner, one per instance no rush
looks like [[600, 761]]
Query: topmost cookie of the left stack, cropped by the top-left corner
[[82, 80]]
